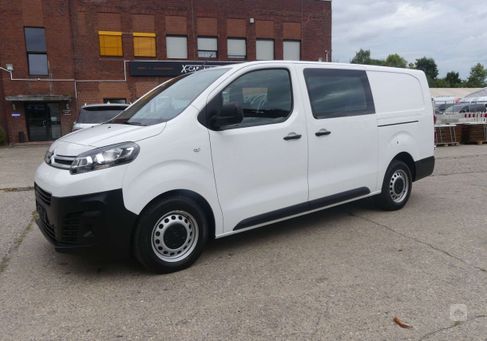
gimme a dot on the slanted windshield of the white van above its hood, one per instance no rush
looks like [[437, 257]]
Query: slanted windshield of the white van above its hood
[[169, 99]]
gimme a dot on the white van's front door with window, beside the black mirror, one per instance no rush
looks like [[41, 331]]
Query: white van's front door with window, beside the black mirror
[[260, 164]]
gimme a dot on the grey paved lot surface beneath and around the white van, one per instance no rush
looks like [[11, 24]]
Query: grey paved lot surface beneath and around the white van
[[340, 274]]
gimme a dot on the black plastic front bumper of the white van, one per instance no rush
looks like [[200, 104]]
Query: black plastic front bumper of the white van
[[92, 220]]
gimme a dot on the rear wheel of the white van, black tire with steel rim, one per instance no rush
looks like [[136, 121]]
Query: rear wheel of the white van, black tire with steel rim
[[396, 187]]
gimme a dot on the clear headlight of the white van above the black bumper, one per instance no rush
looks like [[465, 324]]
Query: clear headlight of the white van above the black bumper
[[104, 157]]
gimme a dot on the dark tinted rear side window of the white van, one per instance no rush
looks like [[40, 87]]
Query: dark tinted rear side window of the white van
[[337, 93]]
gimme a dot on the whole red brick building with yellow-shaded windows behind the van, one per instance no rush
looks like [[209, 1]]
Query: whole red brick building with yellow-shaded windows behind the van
[[57, 55]]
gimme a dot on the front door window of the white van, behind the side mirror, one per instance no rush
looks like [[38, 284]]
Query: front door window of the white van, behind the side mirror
[[264, 96]]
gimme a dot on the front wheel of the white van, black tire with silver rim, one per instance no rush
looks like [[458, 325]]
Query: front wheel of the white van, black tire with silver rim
[[168, 225]]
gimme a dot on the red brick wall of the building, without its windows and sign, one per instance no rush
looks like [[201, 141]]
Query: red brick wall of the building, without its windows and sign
[[77, 70]]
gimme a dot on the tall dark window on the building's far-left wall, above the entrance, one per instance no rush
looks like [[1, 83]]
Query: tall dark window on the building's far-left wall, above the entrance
[[35, 44]]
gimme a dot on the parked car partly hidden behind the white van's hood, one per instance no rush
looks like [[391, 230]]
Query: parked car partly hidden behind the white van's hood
[[94, 114]]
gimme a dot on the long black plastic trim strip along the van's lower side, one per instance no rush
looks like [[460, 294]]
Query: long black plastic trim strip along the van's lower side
[[301, 208]]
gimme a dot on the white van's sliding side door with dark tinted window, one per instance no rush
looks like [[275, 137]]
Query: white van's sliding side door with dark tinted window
[[342, 130]]
